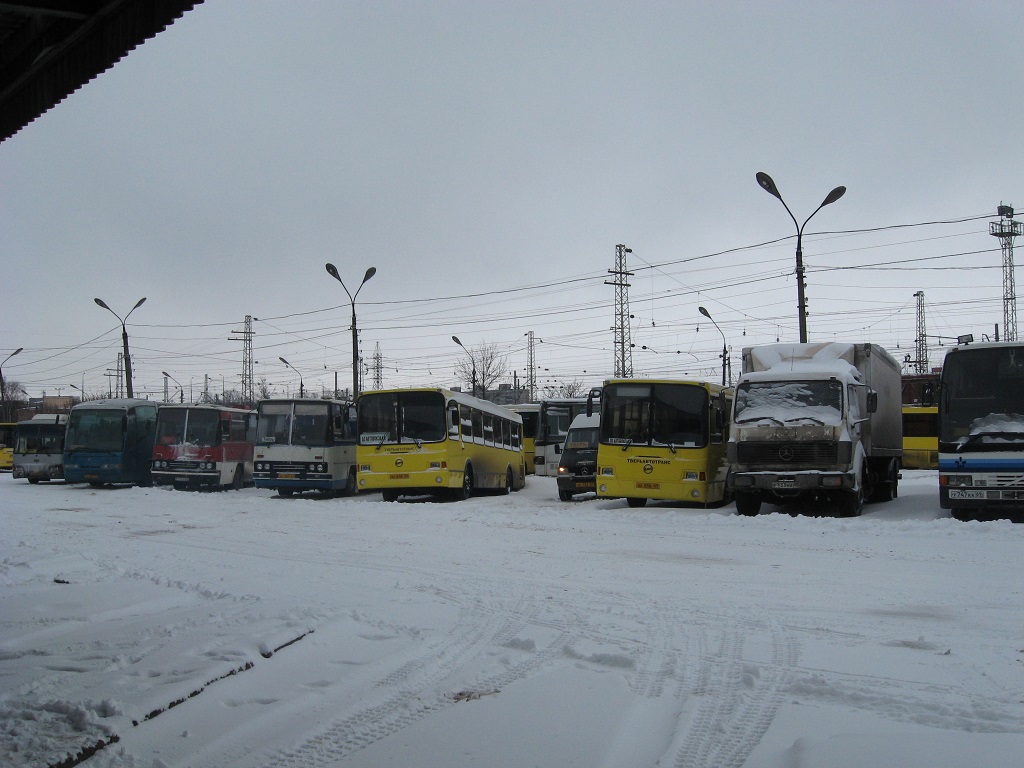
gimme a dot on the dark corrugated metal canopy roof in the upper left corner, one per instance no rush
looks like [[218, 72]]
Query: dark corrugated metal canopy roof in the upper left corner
[[52, 49]]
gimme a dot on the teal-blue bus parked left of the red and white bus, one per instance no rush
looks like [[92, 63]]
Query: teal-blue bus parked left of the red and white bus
[[111, 442]]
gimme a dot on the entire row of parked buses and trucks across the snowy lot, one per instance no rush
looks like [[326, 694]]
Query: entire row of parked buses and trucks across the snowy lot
[[805, 424]]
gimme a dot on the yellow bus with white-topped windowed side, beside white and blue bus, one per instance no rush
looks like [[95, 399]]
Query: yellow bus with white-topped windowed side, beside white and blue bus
[[437, 442]]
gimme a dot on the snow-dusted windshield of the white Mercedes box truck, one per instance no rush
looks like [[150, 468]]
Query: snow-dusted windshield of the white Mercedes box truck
[[790, 403]]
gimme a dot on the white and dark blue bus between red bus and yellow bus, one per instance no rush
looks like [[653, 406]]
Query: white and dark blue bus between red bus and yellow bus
[[306, 445]]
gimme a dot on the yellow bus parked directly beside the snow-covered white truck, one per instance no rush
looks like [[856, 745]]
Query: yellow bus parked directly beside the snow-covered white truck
[[664, 440]]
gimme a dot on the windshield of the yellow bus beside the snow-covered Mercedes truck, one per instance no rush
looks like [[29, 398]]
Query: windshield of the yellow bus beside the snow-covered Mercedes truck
[[655, 415]]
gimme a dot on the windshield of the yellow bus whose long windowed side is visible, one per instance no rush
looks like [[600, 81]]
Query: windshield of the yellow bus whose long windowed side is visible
[[402, 417]]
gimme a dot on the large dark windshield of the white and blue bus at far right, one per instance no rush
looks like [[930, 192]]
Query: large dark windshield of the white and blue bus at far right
[[982, 401]]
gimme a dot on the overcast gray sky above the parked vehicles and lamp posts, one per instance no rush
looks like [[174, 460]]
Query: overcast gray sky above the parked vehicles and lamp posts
[[487, 158]]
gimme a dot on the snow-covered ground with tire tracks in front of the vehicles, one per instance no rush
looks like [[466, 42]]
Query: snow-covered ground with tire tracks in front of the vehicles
[[503, 632]]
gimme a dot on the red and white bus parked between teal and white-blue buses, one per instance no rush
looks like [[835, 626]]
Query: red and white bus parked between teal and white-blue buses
[[204, 446]]
